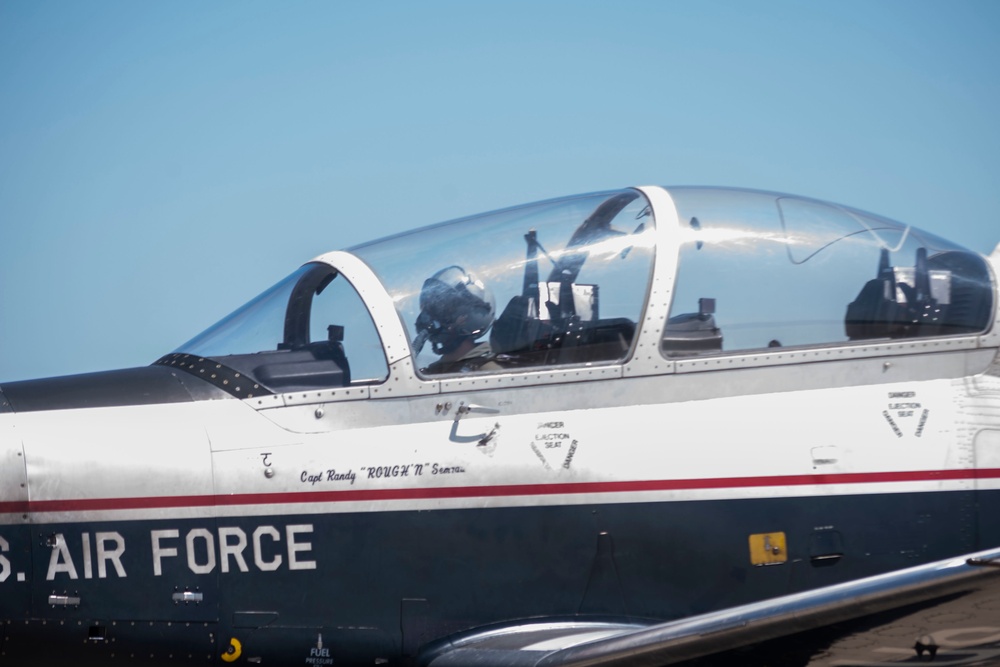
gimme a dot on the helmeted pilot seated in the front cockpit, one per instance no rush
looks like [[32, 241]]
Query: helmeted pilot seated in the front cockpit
[[456, 309]]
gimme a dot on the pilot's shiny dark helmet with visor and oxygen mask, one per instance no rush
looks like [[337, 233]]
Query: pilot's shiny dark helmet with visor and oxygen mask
[[454, 306]]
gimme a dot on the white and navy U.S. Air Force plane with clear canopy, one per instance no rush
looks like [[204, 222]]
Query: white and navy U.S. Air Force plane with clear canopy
[[631, 427]]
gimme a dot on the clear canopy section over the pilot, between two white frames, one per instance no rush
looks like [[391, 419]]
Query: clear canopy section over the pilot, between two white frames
[[565, 280]]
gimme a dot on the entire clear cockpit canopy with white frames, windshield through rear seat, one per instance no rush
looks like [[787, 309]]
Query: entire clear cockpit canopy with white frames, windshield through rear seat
[[588, 280]]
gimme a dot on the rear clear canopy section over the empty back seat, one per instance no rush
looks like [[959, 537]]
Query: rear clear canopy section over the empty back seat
[[775, 271]]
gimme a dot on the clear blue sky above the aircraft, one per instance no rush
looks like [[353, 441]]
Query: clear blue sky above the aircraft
[[161, 163]]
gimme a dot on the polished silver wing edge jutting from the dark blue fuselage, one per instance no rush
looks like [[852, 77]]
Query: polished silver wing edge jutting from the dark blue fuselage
[[541, 643]]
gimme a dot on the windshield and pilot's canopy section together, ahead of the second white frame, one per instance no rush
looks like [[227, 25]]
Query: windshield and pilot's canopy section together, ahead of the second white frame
[[554, 283]]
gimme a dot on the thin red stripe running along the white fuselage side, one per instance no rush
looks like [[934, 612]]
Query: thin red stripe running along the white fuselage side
[[425, 493]]
